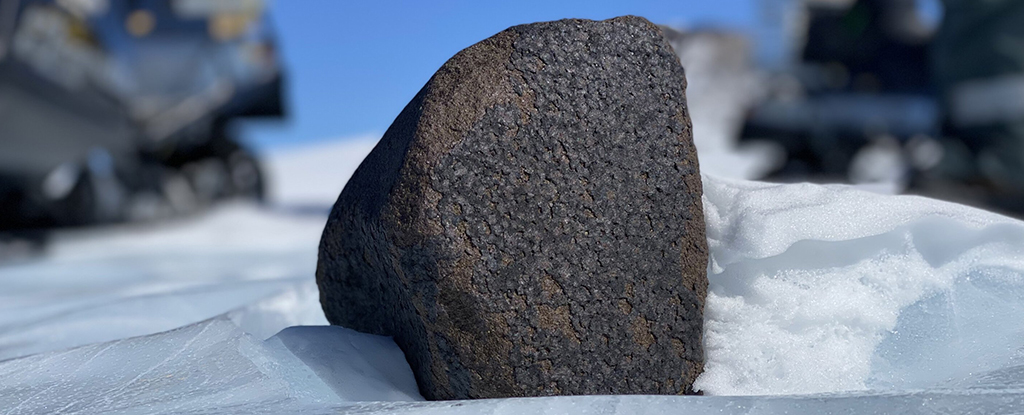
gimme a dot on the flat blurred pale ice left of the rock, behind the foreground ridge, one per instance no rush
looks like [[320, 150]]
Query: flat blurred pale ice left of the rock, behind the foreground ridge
[[141, 280]]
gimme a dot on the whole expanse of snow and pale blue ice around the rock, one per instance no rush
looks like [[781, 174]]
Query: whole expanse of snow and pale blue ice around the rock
[[823, 300]]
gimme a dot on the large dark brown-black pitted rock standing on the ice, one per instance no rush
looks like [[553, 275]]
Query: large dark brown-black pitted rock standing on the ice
[[531, 225]]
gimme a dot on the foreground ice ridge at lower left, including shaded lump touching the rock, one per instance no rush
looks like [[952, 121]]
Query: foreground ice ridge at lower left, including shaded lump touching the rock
[[210, 366]]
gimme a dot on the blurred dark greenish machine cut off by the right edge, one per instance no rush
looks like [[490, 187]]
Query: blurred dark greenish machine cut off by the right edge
[[979, 72]]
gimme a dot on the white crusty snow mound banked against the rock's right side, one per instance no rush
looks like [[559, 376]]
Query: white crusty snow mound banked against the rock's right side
[[827, 288]]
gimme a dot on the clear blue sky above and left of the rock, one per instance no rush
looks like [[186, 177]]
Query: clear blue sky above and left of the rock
[[354, 65]]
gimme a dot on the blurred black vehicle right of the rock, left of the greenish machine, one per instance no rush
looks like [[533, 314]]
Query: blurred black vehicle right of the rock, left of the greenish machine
[[860, 93]]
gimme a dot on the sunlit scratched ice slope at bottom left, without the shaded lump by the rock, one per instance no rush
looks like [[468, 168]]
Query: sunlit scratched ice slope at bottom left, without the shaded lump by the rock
[[202, 366]]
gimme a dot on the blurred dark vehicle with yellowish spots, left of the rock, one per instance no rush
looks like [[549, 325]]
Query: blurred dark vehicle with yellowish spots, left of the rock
[[115, 111]]
